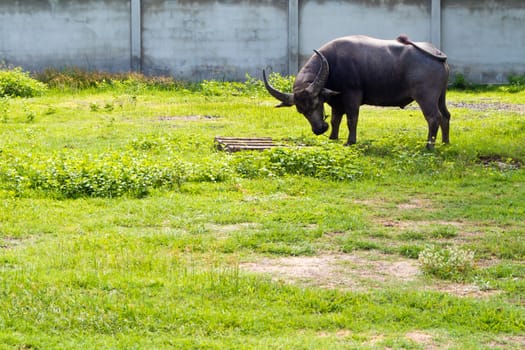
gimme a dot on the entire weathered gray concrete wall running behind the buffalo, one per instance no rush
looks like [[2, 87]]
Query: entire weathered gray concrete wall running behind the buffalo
[[212, 39]]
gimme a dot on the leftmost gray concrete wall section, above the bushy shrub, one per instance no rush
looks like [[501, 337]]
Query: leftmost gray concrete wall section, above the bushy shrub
[[92, 34]]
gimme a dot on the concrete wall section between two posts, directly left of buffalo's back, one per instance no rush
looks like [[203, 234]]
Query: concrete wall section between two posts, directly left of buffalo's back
[[213, 39]]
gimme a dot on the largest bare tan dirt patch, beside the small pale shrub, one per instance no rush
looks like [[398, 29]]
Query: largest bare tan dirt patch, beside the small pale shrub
[[359, 271]]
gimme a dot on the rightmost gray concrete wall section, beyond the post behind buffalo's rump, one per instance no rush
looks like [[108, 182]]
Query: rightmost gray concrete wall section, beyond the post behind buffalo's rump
[[484, 39]]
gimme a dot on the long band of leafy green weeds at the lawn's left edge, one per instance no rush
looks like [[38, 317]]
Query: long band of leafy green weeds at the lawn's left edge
[[104, 175]]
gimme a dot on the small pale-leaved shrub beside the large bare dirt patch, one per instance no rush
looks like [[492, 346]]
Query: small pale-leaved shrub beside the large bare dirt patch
[[447, 263]]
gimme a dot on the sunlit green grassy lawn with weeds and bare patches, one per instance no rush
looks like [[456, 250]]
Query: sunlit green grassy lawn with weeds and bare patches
[[122, 225]]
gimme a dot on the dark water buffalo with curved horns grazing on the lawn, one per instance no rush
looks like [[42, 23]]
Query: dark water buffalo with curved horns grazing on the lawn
[[355, 70]]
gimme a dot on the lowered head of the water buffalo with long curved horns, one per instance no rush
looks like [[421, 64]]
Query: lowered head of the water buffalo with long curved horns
[[308, 97]]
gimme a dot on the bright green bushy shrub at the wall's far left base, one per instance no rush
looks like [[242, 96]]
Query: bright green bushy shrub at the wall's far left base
[[17, 83]]
